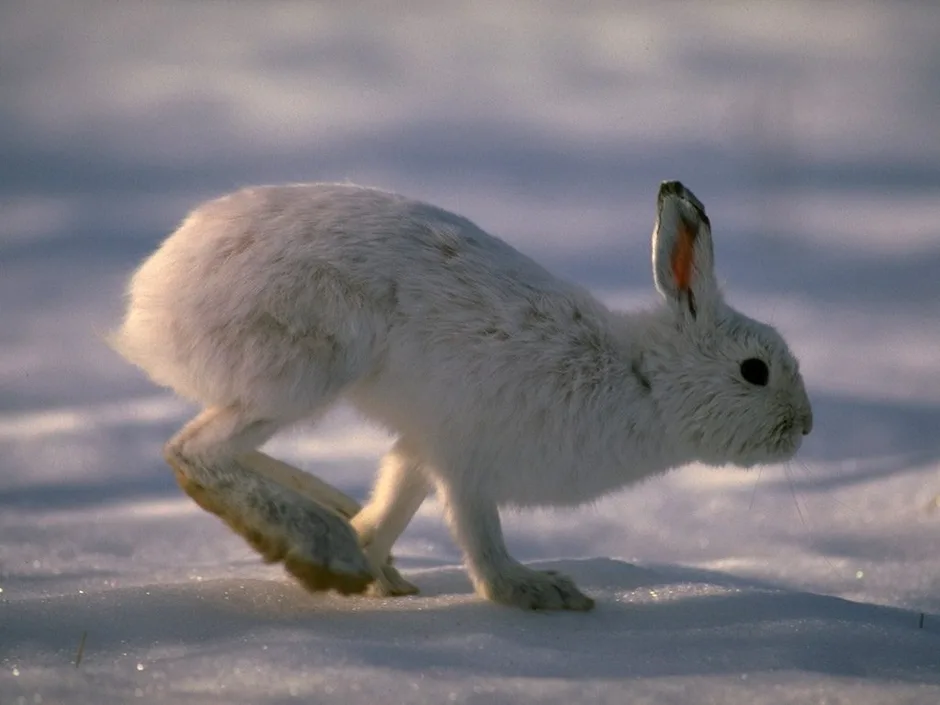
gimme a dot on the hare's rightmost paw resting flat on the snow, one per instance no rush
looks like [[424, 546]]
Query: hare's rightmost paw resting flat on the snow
[[535, 590]]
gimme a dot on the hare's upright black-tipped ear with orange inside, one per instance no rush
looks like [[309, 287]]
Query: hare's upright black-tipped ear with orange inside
[[683, 259]]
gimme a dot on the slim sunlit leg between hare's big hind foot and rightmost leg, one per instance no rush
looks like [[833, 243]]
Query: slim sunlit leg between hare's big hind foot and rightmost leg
[[400, 488]]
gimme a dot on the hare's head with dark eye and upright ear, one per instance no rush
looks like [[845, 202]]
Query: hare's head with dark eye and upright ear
[[728, 383]]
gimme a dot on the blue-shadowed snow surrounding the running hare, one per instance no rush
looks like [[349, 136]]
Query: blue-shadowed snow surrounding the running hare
[[809, 130]]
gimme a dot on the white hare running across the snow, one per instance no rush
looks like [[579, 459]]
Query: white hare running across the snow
[[506, 385]]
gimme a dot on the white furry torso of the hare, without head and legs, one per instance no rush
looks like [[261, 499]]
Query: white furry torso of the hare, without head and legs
[[282, 299]]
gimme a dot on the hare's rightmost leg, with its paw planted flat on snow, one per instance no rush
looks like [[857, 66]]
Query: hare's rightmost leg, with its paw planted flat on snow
[[474, 521]]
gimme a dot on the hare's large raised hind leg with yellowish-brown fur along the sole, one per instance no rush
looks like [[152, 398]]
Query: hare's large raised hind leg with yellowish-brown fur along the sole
[[316, 545]]
